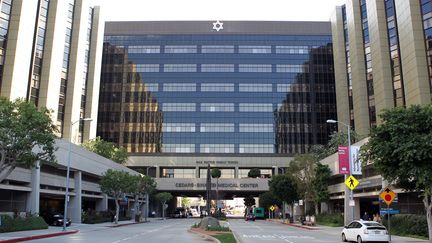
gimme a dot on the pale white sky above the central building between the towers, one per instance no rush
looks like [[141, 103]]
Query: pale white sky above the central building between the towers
[[224, 10]]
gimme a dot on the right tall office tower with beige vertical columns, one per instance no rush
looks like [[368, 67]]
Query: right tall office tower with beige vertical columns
[[382, 58]]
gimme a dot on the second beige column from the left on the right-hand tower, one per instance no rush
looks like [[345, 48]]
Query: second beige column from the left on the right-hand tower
[[358, 70]]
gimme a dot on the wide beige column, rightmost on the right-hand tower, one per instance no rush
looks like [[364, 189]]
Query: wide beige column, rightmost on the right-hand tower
[[413, 52]]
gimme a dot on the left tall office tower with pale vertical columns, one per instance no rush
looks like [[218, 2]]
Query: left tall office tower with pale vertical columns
[[50, 55]]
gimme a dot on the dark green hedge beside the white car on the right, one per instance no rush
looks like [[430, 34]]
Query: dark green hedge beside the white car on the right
[[407, 225]]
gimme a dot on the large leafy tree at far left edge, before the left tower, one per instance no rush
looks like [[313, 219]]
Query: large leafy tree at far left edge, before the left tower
[[26, 136]]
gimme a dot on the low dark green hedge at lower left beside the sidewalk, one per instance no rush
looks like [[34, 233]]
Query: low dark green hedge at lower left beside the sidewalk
[[9, 224]]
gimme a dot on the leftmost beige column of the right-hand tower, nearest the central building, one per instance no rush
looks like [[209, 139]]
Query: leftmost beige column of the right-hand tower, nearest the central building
[[340, 67]]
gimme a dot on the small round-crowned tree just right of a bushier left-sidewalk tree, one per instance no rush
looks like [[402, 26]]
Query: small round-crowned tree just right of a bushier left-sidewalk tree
[[140, 187]]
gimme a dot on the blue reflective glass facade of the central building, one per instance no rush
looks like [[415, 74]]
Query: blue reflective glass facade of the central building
[[227, 94]]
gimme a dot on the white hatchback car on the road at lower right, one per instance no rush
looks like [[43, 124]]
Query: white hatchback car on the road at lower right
[[365, 231]]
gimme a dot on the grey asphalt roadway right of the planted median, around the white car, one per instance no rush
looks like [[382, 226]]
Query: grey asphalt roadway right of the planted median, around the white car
[[272, 232]]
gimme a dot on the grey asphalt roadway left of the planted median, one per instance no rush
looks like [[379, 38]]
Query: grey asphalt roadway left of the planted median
[[171, 230]]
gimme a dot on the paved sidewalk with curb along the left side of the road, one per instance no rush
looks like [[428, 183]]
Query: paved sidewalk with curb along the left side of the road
[[58, 231]]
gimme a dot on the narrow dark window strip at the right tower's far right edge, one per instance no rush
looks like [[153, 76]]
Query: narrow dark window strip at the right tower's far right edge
[[426, 8]]
